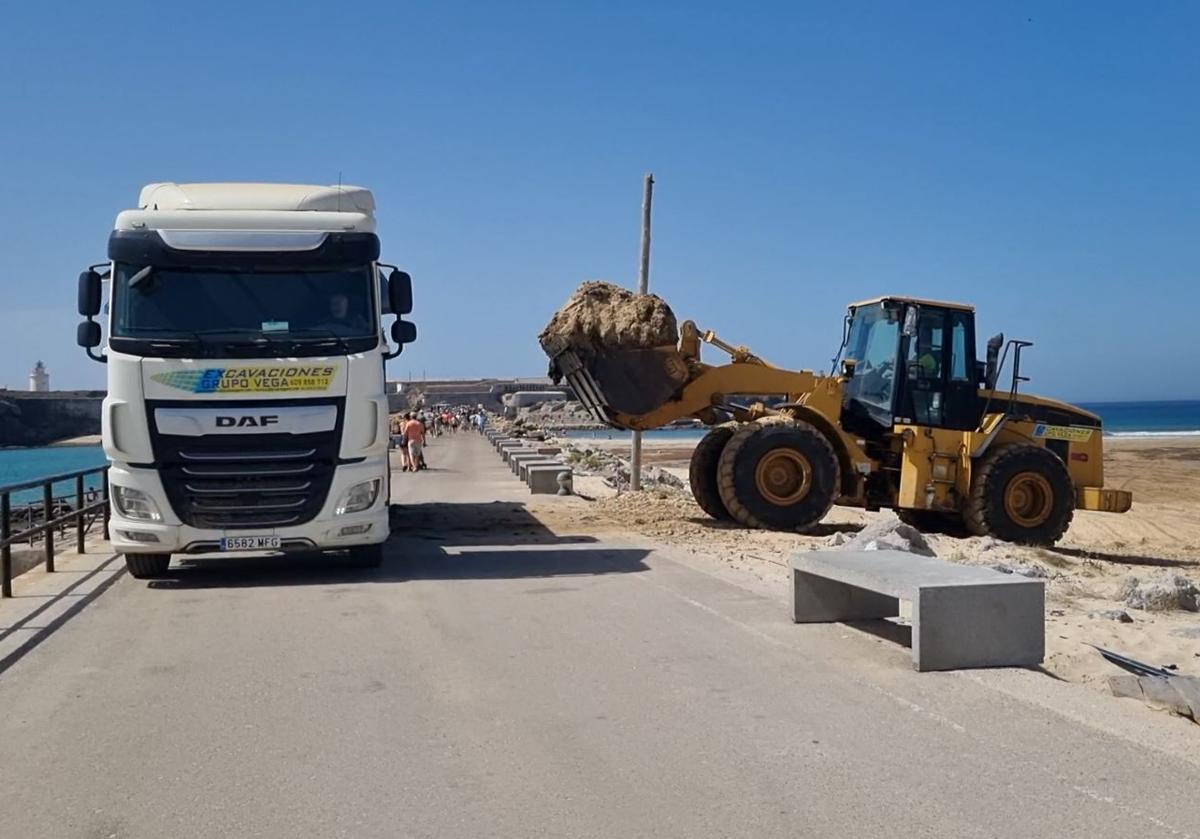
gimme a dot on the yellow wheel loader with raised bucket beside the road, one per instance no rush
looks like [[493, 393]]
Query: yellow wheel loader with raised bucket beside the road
[[911, 422]]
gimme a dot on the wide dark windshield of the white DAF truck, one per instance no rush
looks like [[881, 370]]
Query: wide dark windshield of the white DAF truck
[[226, 311]]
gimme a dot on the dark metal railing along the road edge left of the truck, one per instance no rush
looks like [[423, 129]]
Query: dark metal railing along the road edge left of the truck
[[52, 513]]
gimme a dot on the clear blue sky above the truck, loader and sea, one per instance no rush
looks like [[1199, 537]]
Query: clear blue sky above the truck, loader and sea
[[1036, 159]]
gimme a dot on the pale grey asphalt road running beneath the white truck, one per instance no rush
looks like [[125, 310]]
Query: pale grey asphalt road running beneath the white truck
[[497, 680]]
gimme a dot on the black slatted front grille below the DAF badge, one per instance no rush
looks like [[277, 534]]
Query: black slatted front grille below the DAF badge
[[226, 482]]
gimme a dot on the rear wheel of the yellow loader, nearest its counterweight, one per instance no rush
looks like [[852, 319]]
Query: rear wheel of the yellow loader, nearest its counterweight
[[1022, 494]]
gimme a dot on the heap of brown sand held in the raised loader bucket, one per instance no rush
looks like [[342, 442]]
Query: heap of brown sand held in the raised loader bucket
[[602, 316]]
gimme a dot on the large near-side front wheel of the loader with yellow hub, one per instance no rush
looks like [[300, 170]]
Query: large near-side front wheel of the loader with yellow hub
[[778, 476]]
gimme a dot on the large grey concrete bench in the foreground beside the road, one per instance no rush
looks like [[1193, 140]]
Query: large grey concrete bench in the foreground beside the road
[[963, 616]]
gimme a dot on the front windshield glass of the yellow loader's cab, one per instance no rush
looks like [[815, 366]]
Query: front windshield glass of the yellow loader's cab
[[874, 343]]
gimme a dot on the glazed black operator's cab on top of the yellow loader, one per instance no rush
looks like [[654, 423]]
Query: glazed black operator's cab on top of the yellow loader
[[914, 362]]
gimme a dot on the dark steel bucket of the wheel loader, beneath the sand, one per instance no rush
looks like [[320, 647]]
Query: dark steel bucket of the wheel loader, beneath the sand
[[619, 382]]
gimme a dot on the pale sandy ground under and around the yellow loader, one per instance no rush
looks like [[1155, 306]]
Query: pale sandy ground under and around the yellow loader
[[1084, 573]]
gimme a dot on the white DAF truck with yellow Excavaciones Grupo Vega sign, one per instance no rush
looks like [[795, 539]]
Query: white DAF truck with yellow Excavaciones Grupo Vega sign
[[247, 409]]
